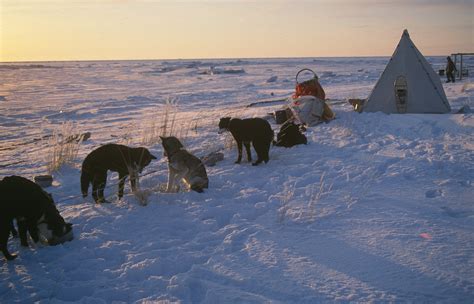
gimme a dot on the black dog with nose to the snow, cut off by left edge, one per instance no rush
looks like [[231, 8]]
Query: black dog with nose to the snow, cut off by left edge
[[34, 211]]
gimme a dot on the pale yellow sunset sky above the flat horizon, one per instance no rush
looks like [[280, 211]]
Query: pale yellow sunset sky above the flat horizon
[[45, 30]]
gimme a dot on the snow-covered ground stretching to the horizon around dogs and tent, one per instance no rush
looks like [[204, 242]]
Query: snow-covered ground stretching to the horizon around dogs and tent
[[376, 208]]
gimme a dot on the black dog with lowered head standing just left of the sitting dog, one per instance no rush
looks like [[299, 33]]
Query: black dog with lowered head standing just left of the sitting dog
[[113, 157]]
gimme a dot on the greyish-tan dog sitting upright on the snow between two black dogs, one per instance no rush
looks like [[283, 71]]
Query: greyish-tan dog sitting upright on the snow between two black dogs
[[184, 166]]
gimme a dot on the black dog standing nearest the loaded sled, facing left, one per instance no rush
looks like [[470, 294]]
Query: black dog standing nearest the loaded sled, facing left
[[251, 130]]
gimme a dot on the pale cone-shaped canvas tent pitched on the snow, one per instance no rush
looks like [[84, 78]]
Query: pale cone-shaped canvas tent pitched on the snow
[[408, 84]]
